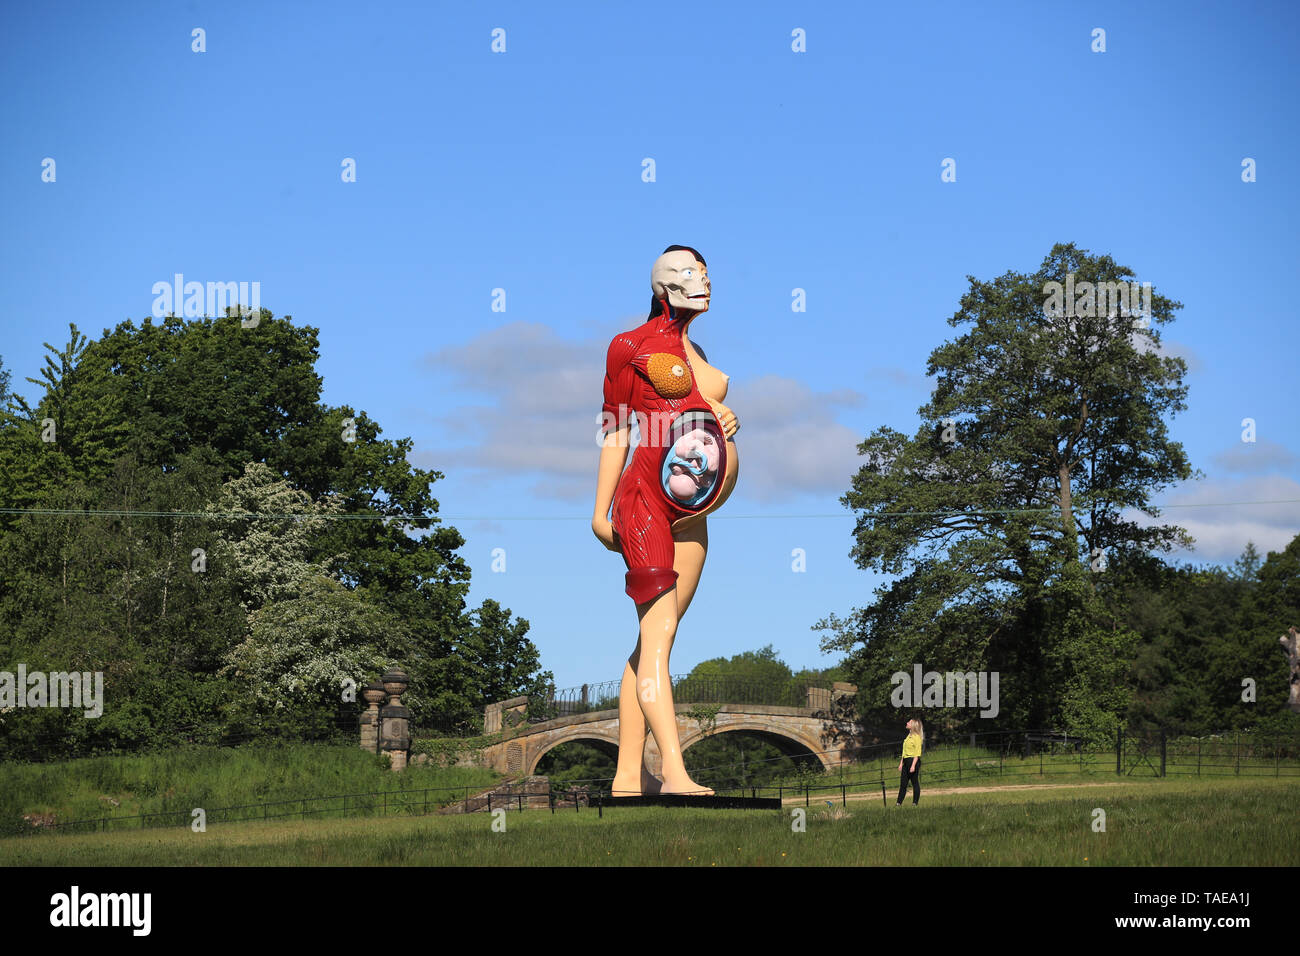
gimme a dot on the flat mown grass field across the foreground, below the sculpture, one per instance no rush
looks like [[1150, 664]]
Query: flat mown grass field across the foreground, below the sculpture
[[1158, 823]]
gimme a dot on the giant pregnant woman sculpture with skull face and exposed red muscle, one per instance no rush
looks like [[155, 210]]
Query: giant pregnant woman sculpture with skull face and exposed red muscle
[[683, 469]]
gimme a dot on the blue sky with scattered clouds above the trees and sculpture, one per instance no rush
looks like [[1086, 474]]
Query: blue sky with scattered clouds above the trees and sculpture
[[523, 171]]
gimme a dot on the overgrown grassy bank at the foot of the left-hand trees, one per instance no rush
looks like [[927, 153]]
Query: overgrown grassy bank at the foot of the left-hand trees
[[207, 777]]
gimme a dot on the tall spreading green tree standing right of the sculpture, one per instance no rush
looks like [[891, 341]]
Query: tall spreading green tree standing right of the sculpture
[[1004, 509]]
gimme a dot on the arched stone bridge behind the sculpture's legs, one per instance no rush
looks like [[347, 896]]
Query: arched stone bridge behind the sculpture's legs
[[796, 732]]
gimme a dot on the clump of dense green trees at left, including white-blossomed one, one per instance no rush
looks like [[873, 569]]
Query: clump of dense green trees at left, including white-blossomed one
[[157, 425]]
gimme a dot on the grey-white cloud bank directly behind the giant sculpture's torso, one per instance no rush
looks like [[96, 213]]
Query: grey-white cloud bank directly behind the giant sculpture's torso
[[543, 418]]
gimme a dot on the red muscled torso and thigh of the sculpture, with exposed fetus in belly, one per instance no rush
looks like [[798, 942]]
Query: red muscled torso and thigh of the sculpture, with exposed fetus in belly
[[681, 464]]
